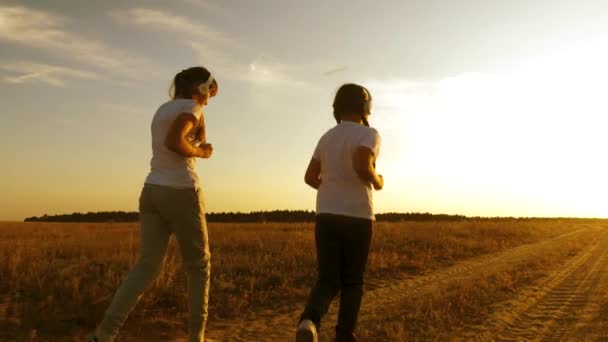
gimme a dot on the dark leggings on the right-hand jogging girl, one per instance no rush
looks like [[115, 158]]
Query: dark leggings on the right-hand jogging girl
[[343, 245]]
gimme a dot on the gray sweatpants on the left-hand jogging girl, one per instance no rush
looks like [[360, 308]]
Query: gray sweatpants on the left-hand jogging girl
[[165, 211]]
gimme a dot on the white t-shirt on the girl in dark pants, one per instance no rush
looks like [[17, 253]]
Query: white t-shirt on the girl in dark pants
[[342, 192]]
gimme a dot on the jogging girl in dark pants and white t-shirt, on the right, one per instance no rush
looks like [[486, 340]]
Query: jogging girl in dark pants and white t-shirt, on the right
[[342, 169]]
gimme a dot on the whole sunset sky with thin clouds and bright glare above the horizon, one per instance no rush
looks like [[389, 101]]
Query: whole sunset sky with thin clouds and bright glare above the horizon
[[485, 108]]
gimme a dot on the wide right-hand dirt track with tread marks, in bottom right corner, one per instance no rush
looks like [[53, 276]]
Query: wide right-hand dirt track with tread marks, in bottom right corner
[[563, 306]]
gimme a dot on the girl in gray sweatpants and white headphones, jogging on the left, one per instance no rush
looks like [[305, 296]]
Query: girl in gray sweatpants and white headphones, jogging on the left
[[171, 202]]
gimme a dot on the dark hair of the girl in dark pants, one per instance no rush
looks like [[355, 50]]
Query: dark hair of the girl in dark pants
[[351, 98]]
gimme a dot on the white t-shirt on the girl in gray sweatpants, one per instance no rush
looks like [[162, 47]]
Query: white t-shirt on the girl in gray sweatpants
[[167, 167]]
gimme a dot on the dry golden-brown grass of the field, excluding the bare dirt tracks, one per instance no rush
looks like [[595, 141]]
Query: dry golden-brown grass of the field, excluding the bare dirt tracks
[[57, 279]]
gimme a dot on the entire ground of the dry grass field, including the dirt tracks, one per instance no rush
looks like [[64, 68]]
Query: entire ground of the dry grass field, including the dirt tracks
[[471, 280]]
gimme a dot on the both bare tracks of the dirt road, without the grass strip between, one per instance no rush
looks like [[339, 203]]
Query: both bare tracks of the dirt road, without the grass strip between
[[569, 303]]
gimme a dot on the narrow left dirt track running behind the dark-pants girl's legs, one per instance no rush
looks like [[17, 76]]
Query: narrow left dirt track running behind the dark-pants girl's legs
[[388, 298]]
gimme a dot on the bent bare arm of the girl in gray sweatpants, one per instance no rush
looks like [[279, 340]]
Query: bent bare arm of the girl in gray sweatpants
[[176, 138]]
